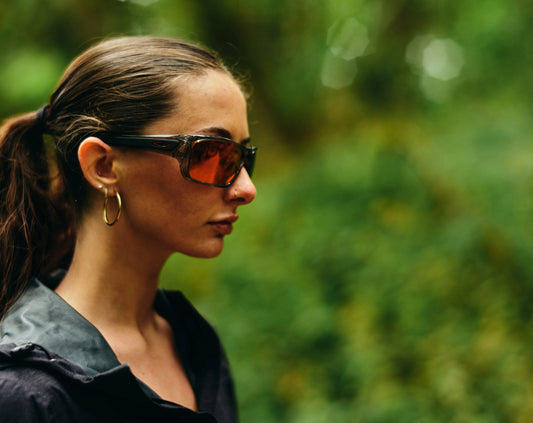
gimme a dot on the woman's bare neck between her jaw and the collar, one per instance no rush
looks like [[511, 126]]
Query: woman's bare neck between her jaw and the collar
[[113, 278]]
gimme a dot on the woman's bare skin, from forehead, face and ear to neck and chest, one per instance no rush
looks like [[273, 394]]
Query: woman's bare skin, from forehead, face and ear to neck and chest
[[113, 278]]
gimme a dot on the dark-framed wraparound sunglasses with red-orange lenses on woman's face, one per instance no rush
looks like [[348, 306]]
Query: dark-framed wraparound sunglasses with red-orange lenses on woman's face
[[208, 160]]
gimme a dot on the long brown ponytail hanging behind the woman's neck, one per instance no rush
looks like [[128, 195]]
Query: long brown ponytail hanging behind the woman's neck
[[34, 222]]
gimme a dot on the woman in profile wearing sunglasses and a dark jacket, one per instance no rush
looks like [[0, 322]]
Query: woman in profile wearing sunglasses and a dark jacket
[[156, 130]]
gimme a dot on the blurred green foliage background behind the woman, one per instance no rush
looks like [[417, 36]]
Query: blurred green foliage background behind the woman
[[384, 272]]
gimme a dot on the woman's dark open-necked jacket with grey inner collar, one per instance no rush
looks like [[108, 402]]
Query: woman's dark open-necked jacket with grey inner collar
[[55, 366]]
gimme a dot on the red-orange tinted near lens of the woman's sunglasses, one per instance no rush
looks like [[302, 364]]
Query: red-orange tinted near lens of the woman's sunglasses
[[214, 162]]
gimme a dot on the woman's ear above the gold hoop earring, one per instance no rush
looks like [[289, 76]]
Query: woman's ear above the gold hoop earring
[[97, 162]]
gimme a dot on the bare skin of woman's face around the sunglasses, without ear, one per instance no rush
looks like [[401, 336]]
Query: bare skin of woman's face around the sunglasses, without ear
[[163, 210]]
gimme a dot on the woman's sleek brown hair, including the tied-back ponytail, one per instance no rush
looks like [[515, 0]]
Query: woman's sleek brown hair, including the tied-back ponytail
[[120, 85]]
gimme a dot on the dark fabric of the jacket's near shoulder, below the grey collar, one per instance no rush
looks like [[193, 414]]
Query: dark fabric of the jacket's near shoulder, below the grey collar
[[39, 386]]
